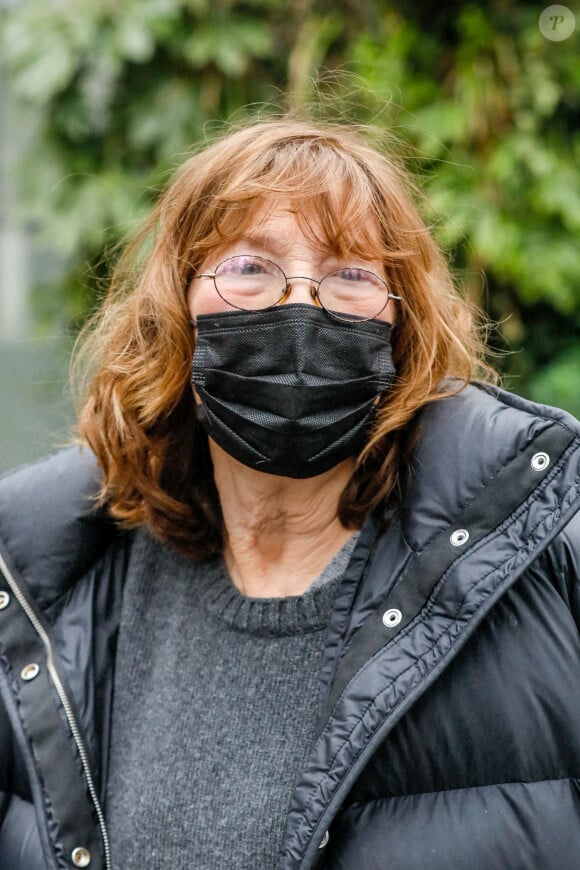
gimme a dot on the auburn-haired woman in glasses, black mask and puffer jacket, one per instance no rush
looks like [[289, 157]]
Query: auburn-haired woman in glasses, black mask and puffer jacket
[[308, 595]]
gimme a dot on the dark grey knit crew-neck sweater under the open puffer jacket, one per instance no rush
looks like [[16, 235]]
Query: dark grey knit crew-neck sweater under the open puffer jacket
[[216, 699]]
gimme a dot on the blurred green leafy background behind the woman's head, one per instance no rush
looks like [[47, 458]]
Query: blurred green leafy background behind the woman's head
[[100, 100]]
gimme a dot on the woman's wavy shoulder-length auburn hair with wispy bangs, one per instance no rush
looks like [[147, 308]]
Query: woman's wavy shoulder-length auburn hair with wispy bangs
[[134, 356]]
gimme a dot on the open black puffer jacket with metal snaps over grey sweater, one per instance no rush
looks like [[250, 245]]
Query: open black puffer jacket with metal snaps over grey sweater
[[450, 731]]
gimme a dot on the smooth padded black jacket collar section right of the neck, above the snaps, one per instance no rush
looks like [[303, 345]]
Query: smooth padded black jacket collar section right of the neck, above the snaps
[[465, 442]]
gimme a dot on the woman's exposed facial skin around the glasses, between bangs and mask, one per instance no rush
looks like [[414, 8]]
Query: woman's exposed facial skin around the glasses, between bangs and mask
[[278, 237]]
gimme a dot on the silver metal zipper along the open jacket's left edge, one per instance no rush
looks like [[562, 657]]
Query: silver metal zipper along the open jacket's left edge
[[70, 716]]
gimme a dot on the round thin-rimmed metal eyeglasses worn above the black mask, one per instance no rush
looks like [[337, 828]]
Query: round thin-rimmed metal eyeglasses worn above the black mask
[[253, 283]]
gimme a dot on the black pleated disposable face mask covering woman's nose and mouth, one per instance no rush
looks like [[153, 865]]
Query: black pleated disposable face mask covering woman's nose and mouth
[[289, 391]]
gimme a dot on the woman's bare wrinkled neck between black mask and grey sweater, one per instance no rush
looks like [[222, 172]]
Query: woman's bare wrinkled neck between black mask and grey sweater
[[280, 533]]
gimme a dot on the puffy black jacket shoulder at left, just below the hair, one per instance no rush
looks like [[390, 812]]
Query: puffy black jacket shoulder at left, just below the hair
[[50, 530]]
